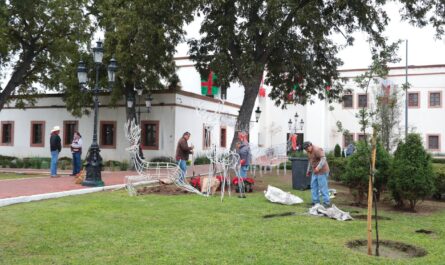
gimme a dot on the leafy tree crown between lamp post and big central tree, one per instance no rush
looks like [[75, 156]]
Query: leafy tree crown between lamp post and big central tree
[[142, 35]]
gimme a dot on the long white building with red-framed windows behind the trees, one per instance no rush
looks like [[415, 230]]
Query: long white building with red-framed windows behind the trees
[[25, 133]]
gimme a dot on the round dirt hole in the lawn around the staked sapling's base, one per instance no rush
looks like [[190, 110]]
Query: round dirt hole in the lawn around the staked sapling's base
[[388, 249]]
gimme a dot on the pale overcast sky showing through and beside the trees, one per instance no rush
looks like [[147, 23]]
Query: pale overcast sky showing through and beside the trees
[[423, 48]]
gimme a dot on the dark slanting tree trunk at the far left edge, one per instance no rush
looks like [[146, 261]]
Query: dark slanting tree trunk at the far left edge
[[17, 77]]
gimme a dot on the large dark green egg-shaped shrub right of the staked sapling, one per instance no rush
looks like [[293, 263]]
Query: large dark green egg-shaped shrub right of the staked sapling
[[412, 173]]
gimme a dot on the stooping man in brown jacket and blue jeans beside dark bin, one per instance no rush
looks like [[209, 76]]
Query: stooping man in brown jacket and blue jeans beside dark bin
[[320, 171]]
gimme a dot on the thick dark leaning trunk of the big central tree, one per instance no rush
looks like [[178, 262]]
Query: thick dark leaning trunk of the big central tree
[[251, 88]]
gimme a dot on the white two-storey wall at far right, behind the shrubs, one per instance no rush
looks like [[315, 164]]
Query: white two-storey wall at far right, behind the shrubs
[[423, 120]]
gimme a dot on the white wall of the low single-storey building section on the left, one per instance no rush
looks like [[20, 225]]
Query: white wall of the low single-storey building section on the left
[[175, 113]]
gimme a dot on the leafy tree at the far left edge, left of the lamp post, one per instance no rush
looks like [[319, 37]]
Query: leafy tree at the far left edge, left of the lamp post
[[39, 40]]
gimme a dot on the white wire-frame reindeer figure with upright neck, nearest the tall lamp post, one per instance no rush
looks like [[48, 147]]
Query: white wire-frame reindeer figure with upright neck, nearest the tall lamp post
[[150, 172]]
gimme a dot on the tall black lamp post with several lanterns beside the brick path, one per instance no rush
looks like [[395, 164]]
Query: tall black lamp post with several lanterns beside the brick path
[[94, 160]]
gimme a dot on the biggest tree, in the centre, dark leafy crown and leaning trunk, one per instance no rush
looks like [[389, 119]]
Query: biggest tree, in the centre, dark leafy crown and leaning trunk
[[292, 40]]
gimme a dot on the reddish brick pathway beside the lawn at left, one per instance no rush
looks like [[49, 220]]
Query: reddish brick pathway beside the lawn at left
[[39, 185]]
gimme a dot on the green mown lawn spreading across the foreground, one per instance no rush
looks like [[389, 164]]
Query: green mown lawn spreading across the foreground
[[113, 228]]
